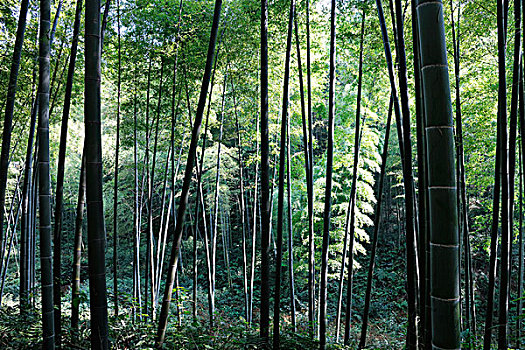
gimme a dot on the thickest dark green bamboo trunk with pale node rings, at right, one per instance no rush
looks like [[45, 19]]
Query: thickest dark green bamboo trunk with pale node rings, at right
[[444, 237]]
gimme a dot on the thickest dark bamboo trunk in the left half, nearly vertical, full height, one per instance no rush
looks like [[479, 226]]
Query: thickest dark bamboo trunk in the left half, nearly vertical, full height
[[95, 210]]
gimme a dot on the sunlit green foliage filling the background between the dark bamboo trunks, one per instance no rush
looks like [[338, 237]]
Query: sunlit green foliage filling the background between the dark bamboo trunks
[[149, 35]]
